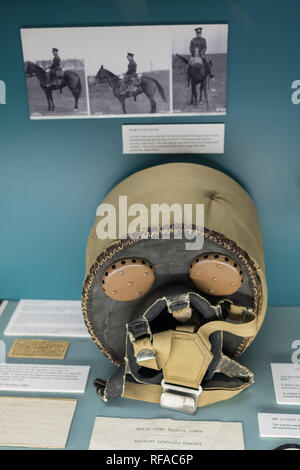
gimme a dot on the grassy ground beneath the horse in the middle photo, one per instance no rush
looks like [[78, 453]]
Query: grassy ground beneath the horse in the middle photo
[[103, 101]]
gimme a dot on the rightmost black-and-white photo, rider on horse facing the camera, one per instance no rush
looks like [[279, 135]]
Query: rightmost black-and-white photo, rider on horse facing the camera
[[199, 68]]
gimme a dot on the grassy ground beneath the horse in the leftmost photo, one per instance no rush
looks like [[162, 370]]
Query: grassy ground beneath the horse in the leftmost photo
[[64, 102]]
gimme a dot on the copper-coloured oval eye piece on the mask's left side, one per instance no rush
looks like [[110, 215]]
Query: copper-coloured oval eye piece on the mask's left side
[[128, 279]]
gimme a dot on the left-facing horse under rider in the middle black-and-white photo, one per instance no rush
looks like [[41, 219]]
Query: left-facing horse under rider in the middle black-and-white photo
[[147, 85]]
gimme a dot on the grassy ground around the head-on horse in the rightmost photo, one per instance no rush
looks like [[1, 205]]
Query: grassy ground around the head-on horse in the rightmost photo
[[216, 90]]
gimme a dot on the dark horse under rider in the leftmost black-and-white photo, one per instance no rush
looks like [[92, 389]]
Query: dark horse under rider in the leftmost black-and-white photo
[[69, 79]]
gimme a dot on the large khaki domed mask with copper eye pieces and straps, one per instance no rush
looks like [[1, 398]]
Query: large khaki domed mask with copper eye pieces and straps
[[174, 319]]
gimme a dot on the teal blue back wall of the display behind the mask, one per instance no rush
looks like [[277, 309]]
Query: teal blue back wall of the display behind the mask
[[54, 173]]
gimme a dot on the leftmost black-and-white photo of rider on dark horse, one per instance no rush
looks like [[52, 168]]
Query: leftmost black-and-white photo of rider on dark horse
[[54, 70]]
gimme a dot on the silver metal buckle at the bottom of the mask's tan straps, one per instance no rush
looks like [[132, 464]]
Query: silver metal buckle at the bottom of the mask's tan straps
[[179, 398]]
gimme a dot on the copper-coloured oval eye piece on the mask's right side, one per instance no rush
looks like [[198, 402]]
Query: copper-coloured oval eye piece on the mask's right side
[[216, 274]]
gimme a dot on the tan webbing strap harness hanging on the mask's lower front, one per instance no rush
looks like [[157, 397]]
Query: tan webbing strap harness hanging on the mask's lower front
[[184, 357]]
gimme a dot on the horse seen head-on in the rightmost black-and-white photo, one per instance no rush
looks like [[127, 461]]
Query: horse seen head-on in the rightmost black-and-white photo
[[197, 73]]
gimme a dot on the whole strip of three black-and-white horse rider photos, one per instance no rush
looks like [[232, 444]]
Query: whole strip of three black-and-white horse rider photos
[[112, 71]]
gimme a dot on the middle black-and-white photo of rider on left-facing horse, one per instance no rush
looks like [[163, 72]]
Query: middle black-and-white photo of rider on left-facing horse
[[128, 70]]
